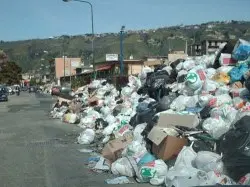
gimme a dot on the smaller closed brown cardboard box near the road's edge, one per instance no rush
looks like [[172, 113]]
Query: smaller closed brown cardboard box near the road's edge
[[112, 150]]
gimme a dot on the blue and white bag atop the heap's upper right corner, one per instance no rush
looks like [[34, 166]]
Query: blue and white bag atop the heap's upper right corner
[[241, 50]]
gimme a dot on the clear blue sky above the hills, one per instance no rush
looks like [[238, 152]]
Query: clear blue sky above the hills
[[26, 19]]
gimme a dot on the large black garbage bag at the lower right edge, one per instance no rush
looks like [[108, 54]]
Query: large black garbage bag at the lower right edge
[[235, 146]]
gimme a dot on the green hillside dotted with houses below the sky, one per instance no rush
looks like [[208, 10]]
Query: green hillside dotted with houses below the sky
[[30, 53]]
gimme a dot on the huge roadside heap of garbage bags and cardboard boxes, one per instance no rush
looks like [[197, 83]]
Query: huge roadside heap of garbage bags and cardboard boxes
[[183, 124]]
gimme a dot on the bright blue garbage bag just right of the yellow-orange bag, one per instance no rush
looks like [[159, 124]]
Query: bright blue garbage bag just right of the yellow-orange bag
[[237, 73]]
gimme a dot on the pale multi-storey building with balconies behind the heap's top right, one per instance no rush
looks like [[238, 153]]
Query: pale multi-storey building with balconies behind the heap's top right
[[211, 46]]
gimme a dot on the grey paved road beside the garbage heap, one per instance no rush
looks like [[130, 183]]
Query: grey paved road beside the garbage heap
[[36, 151]]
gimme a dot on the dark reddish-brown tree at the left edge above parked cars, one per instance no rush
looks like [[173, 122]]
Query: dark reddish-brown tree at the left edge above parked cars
[[10, 73]]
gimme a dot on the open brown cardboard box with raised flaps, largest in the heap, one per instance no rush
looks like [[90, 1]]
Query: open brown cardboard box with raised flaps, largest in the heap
[[166, 147]]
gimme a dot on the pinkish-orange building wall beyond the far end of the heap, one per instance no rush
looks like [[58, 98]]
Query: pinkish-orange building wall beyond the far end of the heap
[[70, 64]]
